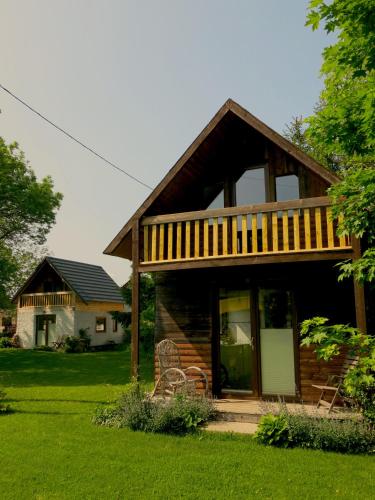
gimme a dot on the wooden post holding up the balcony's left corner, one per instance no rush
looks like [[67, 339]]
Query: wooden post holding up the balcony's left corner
[[135, 301]]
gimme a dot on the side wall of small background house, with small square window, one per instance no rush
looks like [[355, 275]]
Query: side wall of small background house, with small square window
[[86, 319]]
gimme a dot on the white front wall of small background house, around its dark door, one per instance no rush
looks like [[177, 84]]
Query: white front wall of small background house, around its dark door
[[26, 323]]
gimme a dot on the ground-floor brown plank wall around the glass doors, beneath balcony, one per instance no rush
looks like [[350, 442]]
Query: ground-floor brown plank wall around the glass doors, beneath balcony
[[185, 311]]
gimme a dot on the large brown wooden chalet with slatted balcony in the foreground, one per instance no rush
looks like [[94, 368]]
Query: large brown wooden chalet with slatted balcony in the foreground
[[240, 237]]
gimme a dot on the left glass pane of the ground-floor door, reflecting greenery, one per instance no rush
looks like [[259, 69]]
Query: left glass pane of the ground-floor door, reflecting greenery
[[236, 343]]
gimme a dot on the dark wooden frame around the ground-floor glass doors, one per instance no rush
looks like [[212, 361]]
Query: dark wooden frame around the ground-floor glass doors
[[254, 321]]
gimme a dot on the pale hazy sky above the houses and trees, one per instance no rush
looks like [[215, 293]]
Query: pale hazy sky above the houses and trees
[[137, 81]]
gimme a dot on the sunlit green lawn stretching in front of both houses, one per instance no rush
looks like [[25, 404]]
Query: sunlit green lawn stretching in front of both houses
[[49, 449]]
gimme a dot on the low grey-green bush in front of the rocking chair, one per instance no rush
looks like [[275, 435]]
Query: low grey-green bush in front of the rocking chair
[[179, 415]]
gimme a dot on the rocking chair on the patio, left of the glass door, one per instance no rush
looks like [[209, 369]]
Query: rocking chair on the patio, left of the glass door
[[173, 378]]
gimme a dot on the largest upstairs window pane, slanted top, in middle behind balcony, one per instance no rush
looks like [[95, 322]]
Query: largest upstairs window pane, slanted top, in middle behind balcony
[[251, 188]]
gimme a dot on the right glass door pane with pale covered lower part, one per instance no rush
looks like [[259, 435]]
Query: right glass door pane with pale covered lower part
[[276, 342]]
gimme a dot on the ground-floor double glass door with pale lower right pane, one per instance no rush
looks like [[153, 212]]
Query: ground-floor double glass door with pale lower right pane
[[256, 342]]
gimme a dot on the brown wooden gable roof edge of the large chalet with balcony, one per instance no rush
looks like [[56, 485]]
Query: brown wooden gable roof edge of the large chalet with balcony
[[121, 243]]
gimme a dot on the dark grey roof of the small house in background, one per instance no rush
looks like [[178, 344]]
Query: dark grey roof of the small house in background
[[89, 282]]
